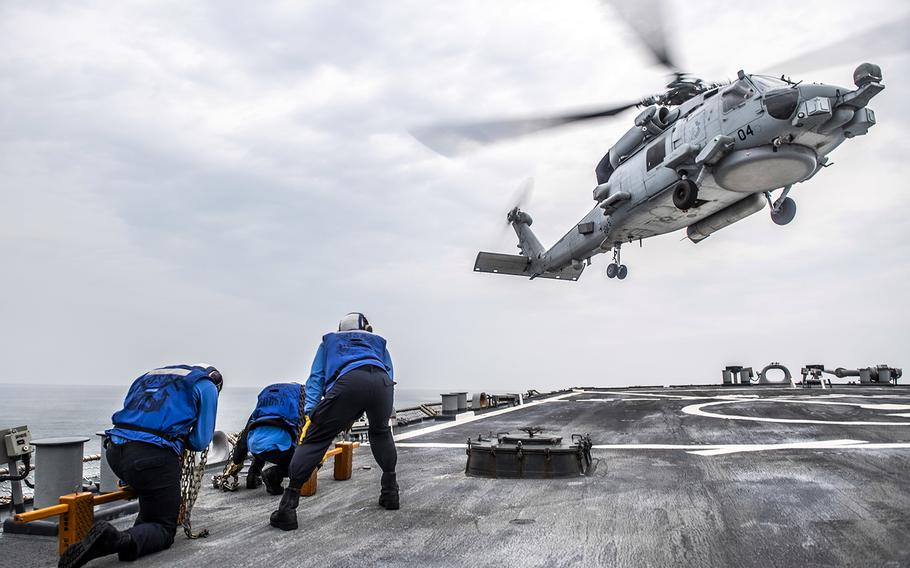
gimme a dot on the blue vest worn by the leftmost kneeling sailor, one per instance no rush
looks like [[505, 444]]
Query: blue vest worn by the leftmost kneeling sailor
[[161, 403]]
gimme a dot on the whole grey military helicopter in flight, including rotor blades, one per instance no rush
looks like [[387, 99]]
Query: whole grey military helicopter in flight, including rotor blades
[[700, 156]]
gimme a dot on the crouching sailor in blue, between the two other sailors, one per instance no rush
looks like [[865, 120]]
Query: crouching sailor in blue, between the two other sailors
[[271, 435]]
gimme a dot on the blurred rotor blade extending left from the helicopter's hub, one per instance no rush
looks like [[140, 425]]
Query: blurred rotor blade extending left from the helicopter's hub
[[454, 139]]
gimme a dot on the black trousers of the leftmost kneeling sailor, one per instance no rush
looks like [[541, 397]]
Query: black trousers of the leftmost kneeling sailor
[[154, 473]]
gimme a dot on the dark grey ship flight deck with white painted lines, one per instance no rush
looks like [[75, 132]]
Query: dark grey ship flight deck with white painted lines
[[695, 476]]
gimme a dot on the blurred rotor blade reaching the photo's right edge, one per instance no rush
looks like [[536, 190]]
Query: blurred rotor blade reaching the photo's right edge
[[885, 39]]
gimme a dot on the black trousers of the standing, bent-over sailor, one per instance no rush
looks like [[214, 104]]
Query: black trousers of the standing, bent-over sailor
[[365, 389]]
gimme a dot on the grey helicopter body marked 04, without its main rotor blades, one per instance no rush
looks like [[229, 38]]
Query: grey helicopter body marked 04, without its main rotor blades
[[730, 146]]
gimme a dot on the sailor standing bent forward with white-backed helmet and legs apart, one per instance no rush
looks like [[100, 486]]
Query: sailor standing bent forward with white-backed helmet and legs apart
[[351, 374]]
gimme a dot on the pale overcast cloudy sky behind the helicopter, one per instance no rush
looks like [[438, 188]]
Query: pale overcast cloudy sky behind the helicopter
[[221, 182]]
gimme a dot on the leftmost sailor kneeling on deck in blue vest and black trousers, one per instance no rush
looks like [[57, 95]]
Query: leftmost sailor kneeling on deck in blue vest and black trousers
[[165, 410]]
